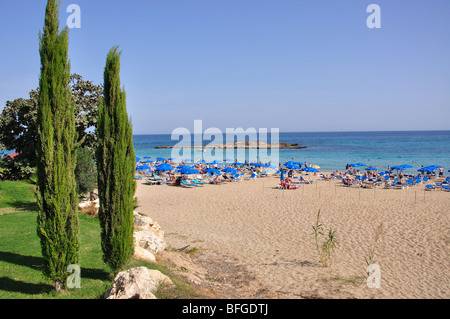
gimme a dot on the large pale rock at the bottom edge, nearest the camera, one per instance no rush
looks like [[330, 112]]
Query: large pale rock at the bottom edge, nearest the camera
[[137, 283]]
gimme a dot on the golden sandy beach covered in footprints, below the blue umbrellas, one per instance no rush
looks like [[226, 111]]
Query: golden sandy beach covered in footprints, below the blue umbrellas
[[267, 233]]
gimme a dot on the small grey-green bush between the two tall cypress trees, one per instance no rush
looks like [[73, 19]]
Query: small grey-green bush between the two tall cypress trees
[[85, 171]]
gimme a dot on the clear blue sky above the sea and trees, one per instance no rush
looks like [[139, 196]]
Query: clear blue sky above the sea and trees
[[293, 65]]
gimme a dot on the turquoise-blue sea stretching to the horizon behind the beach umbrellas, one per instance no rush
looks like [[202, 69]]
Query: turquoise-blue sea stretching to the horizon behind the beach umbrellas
[[333, 150]]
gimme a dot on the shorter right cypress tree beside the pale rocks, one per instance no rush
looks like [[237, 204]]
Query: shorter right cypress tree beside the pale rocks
[[115, 166]]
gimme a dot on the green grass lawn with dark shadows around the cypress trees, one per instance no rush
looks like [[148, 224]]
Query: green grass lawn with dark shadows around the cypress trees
[[21, 259]]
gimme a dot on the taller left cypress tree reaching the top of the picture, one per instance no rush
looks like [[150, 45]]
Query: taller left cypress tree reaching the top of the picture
[[57, 222]]
